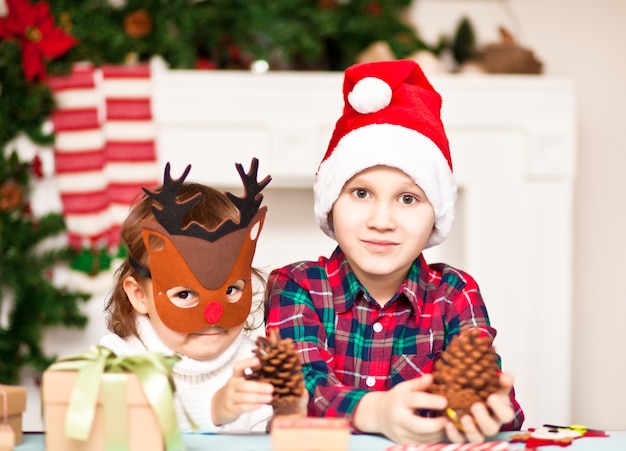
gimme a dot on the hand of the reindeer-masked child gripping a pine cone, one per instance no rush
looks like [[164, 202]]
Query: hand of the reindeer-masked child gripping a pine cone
[[240, 395]]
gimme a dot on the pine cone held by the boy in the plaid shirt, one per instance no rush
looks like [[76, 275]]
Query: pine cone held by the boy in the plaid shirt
[[467, 372]]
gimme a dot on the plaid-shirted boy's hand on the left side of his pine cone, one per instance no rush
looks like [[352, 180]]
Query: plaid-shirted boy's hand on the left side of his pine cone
[[392, 413]]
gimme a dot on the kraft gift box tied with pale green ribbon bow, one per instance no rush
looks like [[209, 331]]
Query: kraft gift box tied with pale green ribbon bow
[[97, 401]]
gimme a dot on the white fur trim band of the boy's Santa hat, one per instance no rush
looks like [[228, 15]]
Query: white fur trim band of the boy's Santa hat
[[395, 146]]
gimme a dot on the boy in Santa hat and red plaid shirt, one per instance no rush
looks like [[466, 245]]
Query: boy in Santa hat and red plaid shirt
[[374, 316]]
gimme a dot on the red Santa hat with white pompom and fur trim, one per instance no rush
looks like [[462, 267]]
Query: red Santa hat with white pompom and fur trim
[[391, 117]]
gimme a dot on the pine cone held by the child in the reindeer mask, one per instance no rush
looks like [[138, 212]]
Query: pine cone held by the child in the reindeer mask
[[280, 366]]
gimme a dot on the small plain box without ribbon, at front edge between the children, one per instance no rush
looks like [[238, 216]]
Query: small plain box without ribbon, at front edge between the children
[[310, 434]]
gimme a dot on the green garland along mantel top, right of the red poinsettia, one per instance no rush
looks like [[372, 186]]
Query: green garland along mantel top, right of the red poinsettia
[[230, 34]]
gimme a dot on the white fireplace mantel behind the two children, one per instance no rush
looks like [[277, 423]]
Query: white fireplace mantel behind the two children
[[513, 141]]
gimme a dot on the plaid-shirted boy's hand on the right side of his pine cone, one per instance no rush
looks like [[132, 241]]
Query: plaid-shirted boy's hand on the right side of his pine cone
[[487, 418]]
